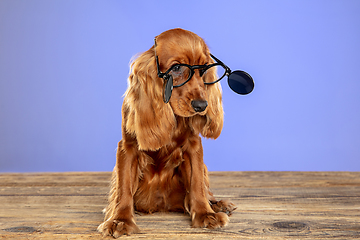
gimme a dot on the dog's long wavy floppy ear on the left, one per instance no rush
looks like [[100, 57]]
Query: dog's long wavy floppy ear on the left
[[148, 118]]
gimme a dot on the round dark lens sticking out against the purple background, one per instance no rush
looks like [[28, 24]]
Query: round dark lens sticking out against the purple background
[[241, 82]]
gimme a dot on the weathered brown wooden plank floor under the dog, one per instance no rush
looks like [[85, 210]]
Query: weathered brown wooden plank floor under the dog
[[271, 205]]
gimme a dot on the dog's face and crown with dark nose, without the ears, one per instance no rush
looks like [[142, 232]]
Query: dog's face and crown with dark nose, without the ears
[[178, 46]]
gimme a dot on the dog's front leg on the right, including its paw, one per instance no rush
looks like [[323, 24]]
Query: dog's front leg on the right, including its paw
[[197, 202]]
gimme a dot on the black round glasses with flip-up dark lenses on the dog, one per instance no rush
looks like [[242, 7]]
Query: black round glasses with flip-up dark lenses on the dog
[[179, 74]]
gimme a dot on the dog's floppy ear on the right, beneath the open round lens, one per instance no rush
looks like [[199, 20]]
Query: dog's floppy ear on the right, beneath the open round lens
[[211, 124]]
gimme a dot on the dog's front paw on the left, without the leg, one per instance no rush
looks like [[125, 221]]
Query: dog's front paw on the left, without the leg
[[117, 228]]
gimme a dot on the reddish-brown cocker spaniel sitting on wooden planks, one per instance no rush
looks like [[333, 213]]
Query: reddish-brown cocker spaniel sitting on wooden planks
[[159, 165]]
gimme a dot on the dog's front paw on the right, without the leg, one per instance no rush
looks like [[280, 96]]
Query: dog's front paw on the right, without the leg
[[210, 220]]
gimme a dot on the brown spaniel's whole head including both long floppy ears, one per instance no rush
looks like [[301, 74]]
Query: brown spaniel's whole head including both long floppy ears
[[151, 119]]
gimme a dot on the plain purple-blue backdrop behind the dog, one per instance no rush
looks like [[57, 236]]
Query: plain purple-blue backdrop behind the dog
[[64, 67]]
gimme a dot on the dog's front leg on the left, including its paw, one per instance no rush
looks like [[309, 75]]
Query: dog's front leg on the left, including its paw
[[119, 215]]
